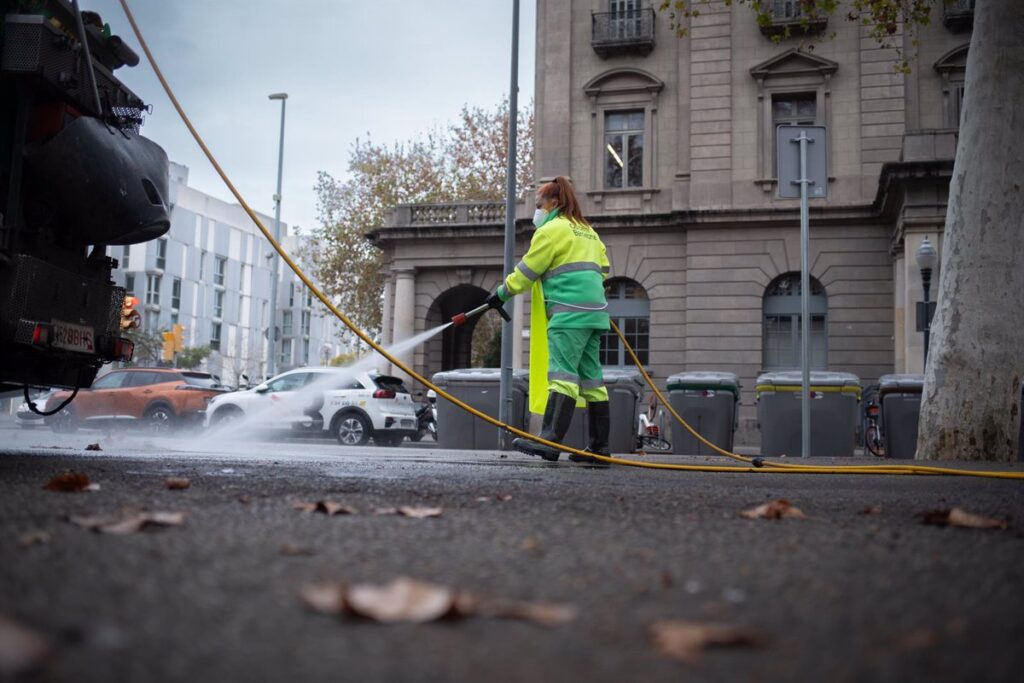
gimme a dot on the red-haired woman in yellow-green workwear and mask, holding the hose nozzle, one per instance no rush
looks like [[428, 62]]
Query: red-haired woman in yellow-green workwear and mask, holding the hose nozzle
[[566, 268]]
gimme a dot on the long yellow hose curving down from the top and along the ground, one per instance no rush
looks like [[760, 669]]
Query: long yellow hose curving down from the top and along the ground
[[761, 466]]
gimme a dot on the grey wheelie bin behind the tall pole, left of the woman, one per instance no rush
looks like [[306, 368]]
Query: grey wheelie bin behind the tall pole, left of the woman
[[480, 389]]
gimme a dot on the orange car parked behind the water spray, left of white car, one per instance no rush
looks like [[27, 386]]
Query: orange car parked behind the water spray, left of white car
[[159, 399]]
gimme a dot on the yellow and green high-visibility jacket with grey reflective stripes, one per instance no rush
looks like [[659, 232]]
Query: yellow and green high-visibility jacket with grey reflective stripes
[[571, 263]]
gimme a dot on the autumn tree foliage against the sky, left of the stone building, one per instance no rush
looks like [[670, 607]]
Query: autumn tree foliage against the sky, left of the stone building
[[464, 161]]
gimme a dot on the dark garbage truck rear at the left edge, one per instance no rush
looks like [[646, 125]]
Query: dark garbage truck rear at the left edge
[[76, 178]]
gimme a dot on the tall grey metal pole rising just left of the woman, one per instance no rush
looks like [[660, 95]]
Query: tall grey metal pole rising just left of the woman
[[505, 390]]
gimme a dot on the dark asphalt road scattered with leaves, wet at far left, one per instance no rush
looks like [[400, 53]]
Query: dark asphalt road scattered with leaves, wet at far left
[[840, 596]]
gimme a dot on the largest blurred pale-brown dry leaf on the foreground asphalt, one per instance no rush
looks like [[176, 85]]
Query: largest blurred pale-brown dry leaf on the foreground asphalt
[[413, 602]]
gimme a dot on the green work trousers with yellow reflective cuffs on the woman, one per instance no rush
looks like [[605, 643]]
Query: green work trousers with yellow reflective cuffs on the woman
[[575, 364]]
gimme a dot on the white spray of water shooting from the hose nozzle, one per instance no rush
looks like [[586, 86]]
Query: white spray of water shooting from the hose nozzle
[[276, 412]]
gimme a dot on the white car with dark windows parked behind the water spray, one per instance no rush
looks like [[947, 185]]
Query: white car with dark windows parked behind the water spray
[[353, 407]]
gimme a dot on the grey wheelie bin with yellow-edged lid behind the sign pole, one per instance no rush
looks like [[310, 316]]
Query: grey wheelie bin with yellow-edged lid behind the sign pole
[[835, 398]]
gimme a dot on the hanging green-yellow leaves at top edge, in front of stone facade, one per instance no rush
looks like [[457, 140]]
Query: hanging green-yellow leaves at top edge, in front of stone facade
[[884, 19]]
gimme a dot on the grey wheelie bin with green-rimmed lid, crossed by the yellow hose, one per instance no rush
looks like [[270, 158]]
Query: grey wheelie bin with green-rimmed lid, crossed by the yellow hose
[[708, 402]]
